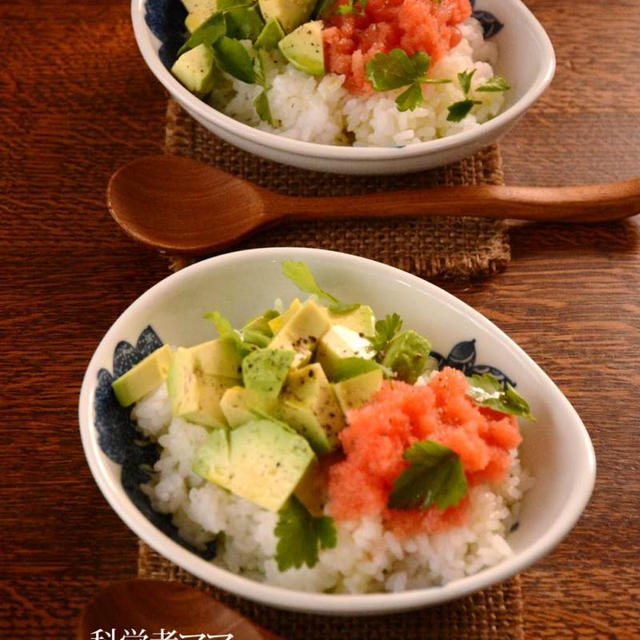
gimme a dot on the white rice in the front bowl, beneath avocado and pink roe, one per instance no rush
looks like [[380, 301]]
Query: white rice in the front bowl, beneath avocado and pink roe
[[367, 558]]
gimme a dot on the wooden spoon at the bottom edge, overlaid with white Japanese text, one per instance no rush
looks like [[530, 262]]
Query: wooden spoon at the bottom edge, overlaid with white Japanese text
[[154, 605]]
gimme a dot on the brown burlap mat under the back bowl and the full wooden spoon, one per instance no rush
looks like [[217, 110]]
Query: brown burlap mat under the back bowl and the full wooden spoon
[[428, 247]]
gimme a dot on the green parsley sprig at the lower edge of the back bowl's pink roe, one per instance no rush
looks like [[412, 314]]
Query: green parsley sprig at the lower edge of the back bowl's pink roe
[[393, 70]]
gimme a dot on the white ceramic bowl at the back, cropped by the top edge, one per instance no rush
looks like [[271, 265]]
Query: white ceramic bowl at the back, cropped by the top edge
[[526, 58]]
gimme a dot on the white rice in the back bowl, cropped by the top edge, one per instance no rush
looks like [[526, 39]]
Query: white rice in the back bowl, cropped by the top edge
[[320, 109]]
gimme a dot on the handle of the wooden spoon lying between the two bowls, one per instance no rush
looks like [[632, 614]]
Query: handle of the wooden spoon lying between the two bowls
[[589, 203]]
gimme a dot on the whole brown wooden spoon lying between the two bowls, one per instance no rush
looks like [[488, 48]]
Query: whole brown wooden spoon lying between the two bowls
[[187, 207]]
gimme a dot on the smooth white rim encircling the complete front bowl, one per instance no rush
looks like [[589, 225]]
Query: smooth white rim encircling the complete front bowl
[[340, 604]]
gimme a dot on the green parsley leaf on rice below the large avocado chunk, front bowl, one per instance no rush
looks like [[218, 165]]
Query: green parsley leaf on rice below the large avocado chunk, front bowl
[[301, 536]]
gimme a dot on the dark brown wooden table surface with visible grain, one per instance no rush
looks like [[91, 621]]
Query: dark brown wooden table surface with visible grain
[[76, 101]]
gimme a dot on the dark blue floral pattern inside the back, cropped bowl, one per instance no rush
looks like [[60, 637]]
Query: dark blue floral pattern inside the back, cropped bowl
[[165, 18]]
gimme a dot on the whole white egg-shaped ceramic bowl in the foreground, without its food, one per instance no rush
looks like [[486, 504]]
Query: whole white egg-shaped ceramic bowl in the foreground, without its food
[[556, 449]]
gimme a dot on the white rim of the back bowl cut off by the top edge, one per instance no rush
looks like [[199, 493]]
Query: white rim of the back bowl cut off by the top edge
[[490, 129]]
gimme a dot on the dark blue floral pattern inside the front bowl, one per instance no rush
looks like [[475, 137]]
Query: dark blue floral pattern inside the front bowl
[[121, 442]]
